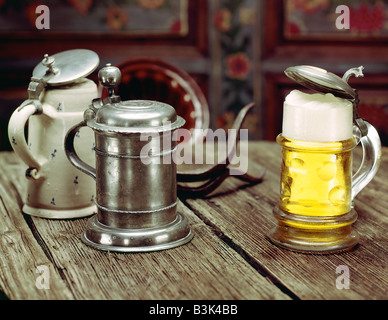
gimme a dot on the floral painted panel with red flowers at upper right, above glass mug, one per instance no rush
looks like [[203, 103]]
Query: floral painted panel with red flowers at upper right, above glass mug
[[317, 19]]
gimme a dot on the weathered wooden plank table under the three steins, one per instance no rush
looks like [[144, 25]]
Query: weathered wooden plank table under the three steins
[[230, 256]]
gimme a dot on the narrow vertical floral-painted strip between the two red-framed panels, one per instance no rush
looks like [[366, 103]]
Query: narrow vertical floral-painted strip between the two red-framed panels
[[234, 22]]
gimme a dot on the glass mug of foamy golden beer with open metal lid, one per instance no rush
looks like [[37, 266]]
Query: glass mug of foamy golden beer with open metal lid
[[320, 131]]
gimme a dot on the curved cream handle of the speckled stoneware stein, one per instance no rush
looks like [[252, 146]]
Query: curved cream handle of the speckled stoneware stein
[[17, 139]]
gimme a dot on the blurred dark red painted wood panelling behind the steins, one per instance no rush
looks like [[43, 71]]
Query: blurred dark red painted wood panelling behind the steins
[[236, 50]]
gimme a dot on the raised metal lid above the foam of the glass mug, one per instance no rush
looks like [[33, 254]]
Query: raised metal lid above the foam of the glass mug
[[323, 81]]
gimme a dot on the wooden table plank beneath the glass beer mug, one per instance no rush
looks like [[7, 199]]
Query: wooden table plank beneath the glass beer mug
[[244, 217]]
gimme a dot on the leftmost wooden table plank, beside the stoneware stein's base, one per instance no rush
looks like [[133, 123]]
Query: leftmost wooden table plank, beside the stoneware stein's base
[[21, 254]]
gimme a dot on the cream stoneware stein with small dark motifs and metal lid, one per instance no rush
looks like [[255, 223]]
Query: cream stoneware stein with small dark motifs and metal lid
[[58, 93]]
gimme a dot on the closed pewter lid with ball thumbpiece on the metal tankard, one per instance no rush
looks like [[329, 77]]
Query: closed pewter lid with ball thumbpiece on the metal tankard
[[133, 116]]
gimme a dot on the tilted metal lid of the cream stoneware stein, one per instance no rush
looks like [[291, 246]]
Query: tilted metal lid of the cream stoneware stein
[[66, 67]]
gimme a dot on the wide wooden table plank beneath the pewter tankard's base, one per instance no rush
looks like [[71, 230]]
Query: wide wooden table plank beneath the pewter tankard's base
[[206, 268]]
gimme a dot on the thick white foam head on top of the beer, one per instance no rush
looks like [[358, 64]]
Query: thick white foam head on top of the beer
[[317, 117]]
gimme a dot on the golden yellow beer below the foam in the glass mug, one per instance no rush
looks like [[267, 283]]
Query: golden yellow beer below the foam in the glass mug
[[316, 177]]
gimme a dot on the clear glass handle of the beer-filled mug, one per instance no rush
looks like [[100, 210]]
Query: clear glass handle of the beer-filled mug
[[371, 145]]
